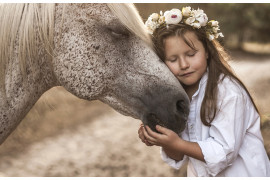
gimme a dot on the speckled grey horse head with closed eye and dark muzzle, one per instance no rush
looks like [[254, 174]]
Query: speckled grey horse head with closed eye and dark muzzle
[[104, 52]]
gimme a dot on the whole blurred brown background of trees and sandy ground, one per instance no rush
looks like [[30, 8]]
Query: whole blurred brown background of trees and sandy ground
[[66, 136]]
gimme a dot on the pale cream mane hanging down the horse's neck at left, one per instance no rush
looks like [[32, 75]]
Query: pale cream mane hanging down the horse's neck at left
[[23, 26]]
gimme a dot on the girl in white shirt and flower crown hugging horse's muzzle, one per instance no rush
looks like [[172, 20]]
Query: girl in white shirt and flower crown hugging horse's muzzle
[[222, 136]]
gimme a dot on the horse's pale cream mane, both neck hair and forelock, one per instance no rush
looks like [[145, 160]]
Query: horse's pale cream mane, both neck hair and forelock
[[34, 23]]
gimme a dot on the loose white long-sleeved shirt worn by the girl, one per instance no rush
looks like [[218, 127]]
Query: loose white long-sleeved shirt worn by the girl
[[233, 144]]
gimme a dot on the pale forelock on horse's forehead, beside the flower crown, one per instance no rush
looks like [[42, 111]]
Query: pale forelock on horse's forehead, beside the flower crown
[[128, 15]]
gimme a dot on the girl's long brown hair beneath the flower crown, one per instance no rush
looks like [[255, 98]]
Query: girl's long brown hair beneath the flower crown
[[216, 62]]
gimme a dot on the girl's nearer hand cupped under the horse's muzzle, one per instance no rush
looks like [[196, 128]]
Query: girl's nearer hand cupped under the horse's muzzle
[[167, 139]]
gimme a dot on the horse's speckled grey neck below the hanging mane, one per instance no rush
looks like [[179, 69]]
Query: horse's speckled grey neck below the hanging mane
[[23, 91]]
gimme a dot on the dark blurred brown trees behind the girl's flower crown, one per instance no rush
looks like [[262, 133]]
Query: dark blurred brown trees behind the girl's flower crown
[[239, 23]]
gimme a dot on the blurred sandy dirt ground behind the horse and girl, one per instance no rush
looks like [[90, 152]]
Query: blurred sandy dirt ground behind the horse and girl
[[65, 136]]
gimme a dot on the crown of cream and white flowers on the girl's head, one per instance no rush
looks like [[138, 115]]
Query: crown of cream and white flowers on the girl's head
[[195, 18]]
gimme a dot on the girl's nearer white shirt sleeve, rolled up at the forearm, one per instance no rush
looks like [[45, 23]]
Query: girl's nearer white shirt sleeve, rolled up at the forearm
[[226, 134]]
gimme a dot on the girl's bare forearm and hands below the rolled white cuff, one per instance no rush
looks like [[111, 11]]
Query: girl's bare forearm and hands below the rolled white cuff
[[172, 144]]
